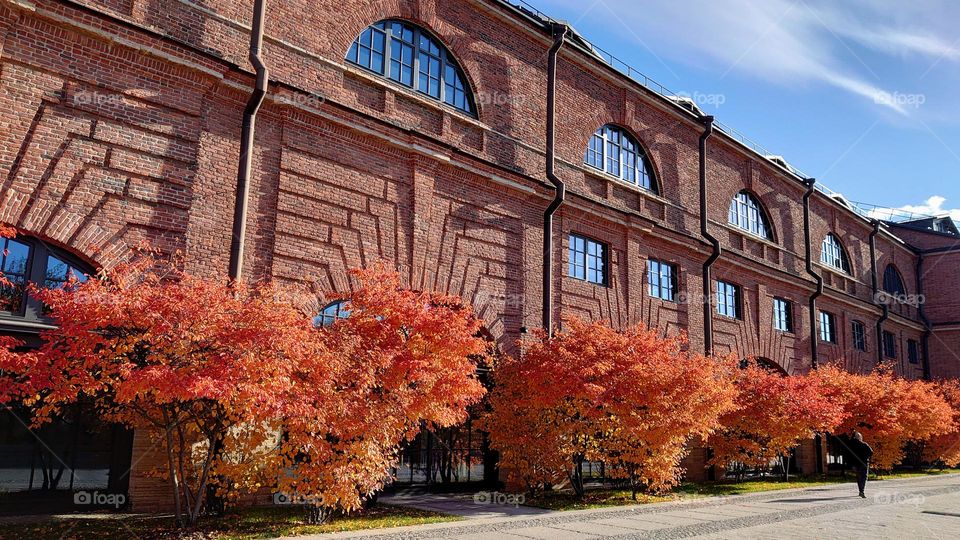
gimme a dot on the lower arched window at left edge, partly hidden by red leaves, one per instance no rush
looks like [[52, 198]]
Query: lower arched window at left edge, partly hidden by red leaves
[[28, 260]]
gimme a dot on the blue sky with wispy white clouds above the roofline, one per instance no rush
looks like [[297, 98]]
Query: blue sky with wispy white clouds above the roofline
[[863, 95]]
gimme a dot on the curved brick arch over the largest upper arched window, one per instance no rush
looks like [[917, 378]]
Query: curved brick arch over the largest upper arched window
[[446, 34]]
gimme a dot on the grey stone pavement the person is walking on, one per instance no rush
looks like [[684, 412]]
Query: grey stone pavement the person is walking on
[[927, 507]]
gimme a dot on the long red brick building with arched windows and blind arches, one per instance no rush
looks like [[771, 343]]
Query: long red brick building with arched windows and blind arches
[[421, 141]]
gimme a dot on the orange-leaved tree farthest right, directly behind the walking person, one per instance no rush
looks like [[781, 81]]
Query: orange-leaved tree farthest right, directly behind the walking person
[[888, 410]]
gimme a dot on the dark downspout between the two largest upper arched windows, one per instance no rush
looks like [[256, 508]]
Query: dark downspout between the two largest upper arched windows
[[559, 36]]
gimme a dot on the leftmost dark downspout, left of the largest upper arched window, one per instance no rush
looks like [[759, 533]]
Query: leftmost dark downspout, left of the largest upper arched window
[[246, 141]]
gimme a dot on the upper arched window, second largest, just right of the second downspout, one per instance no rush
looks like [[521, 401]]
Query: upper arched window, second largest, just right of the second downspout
[[617, 153]]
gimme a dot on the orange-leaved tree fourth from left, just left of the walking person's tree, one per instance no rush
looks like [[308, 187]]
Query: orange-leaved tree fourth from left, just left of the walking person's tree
[[774, 414]]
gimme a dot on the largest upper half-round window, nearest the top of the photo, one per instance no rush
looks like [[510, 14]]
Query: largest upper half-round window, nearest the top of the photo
[[412, 57]]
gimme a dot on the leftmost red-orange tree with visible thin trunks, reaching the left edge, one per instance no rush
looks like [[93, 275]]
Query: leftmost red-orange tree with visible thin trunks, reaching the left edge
[[199, 363]]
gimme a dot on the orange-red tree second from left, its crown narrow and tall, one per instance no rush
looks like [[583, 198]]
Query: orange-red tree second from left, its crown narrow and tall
[[400, 361]]
